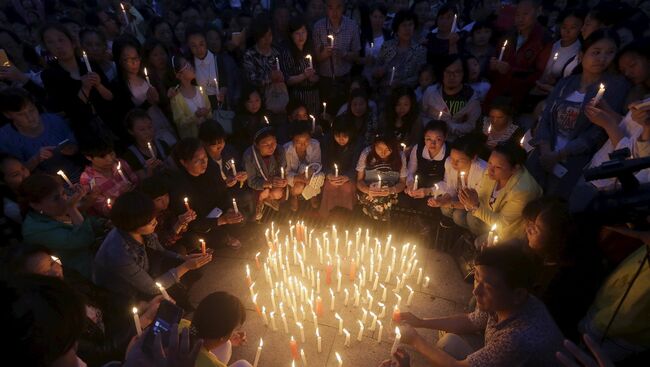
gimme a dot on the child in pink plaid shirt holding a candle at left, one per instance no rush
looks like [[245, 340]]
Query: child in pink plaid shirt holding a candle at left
[[103, 175]]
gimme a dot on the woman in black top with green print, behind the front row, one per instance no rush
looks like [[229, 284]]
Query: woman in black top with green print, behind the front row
[[452, 100]]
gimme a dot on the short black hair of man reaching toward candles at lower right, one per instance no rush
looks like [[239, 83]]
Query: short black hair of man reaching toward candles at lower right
[[509, 259]]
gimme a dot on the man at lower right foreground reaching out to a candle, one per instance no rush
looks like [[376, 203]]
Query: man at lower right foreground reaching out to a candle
[[527, 334]]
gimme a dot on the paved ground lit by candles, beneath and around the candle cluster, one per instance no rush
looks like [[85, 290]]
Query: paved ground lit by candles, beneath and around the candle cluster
[[446, 294]]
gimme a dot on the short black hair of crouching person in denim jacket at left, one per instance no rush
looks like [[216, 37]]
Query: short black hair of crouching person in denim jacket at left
[[132, 210]]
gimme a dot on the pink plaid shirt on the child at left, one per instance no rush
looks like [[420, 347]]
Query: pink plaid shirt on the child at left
[[109, 187]]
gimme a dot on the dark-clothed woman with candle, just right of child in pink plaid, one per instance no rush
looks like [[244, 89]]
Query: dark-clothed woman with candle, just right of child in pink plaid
[[148, 154]]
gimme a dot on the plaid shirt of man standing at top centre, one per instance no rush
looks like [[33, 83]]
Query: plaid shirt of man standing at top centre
[[346, 39]]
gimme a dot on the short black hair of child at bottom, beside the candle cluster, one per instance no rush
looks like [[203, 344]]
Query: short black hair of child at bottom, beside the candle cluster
[[217, 315]]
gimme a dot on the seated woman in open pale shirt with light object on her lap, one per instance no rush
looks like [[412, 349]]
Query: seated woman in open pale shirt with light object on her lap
[[302, 155]]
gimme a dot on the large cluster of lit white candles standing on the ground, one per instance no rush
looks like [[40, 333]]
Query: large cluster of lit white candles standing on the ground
[[310, 275]]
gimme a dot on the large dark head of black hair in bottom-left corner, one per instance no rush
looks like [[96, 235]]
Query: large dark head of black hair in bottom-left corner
[[44, 316]]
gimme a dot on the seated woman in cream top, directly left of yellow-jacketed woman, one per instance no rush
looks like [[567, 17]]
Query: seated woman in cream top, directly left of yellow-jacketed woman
[[463, 157]]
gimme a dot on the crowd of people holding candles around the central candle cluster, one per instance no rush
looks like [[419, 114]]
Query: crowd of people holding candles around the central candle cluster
[[131, 132]]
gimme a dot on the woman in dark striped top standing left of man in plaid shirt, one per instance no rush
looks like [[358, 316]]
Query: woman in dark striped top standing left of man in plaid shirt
[[298, 68]]
